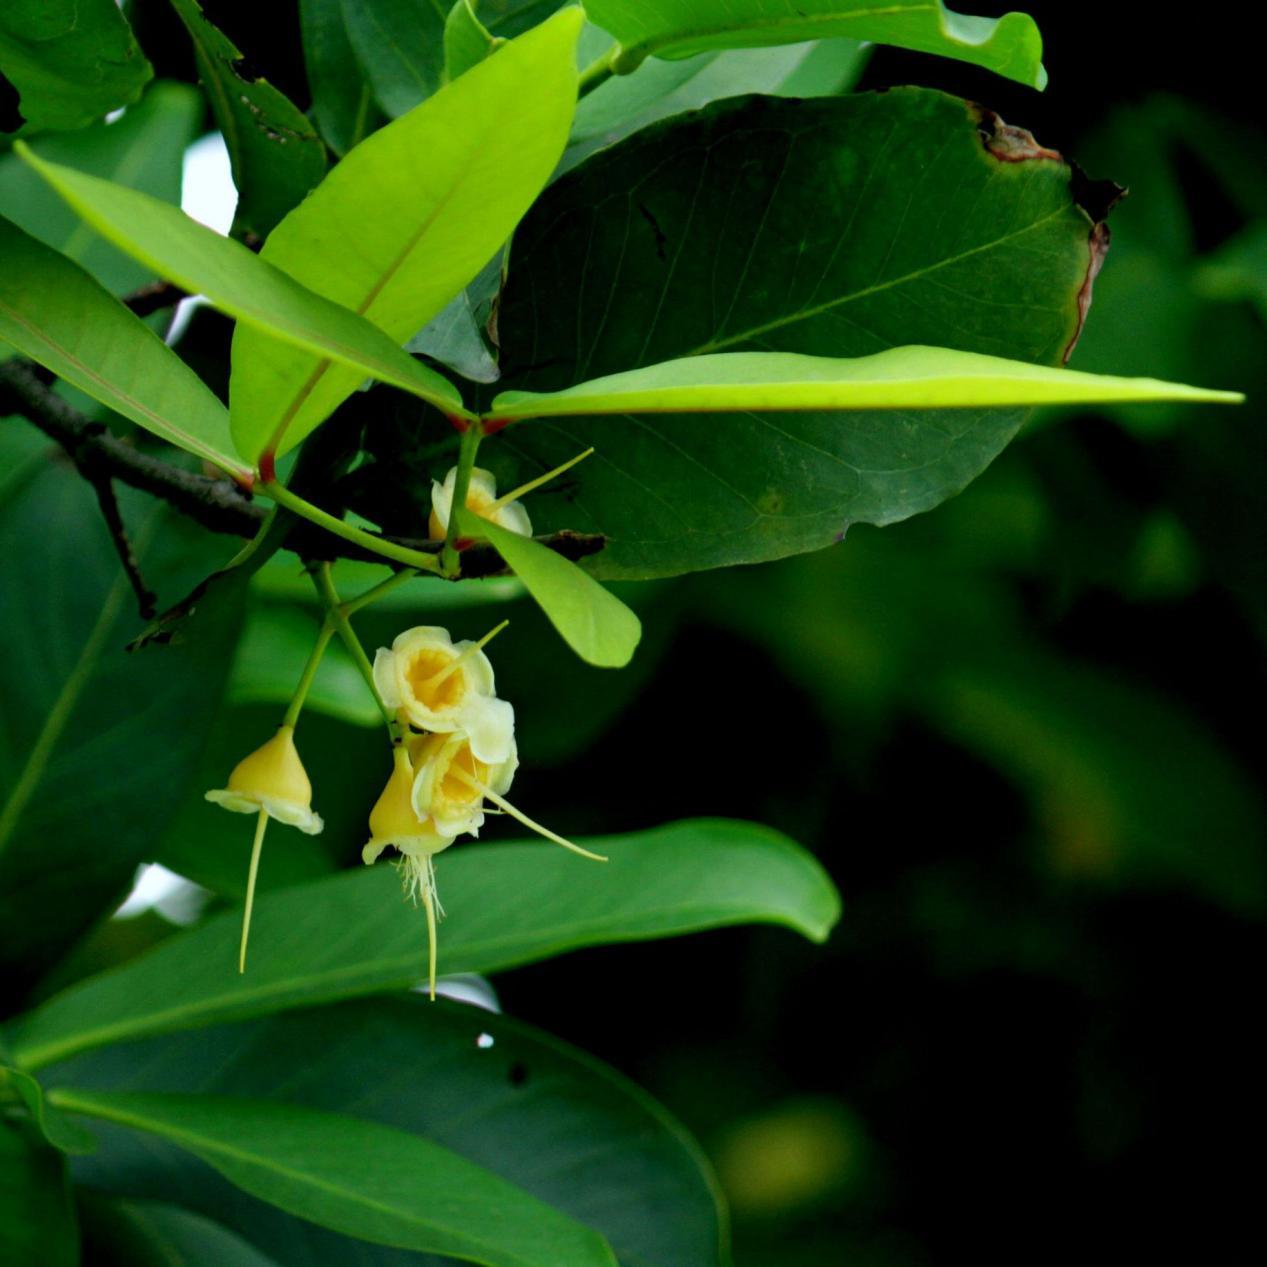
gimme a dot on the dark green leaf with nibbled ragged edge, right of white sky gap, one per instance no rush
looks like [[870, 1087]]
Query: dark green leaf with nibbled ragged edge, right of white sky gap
[[277, 154]]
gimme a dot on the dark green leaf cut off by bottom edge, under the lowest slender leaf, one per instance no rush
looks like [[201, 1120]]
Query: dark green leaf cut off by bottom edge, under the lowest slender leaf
[[154, 1235]]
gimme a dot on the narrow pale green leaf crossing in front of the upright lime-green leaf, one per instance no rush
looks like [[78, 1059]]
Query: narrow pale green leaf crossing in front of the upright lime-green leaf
[[241, 283]]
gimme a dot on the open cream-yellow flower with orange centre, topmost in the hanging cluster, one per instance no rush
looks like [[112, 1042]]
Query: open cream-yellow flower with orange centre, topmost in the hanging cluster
[[445, 687]]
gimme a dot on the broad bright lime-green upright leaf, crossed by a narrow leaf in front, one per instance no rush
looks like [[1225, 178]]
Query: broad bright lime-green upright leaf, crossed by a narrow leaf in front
[[407, 220]]
